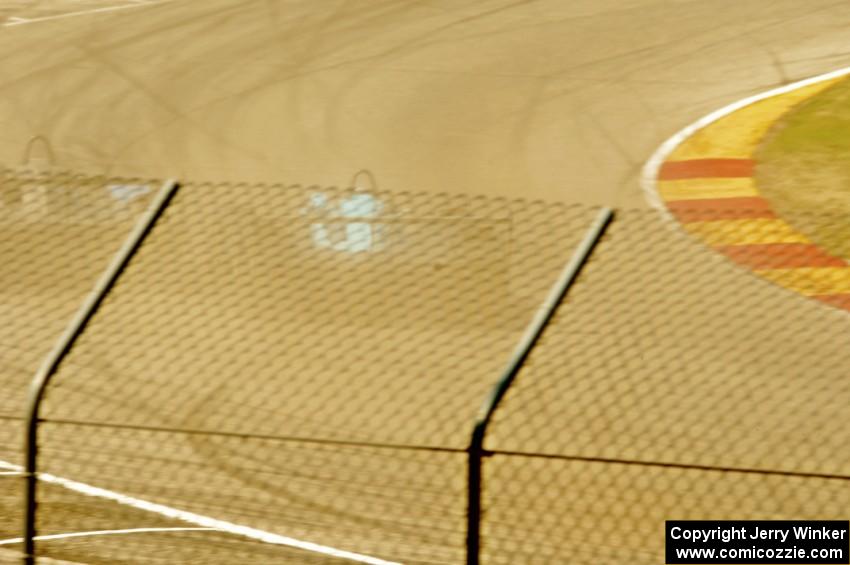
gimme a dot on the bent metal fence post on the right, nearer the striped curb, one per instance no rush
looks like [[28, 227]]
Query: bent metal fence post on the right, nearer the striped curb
[[476, 451]]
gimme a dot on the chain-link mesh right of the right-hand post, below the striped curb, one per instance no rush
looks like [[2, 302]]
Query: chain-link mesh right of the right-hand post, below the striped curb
[[673, 384]]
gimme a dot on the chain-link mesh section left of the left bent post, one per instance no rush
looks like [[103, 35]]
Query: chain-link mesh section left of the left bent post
[[58, 231]]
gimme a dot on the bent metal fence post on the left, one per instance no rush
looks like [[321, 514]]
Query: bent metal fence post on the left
[[63, 346]]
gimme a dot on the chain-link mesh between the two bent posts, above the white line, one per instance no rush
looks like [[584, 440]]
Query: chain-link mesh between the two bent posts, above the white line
[[304, 361]]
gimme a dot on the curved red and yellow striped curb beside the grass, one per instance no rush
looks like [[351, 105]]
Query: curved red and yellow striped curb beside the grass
[[706, 183]]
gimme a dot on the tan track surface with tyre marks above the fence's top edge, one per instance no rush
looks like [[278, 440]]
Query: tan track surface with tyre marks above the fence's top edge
[[557, 99]]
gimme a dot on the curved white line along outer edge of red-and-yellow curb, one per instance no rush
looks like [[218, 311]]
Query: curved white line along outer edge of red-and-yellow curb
[[649, 174]]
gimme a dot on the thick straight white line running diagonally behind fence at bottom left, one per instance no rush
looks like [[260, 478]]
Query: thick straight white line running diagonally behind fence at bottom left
[[202, 521]]
